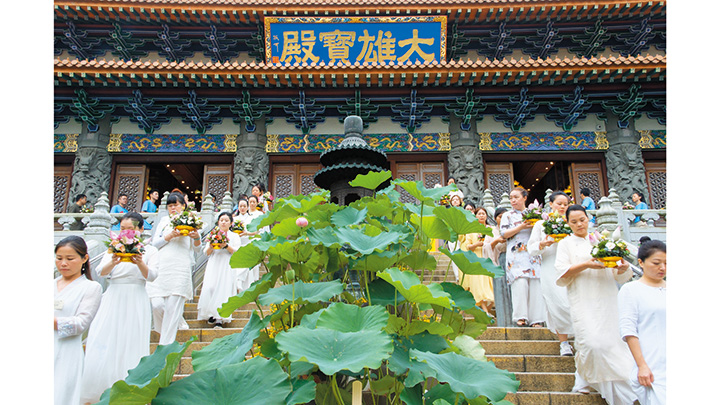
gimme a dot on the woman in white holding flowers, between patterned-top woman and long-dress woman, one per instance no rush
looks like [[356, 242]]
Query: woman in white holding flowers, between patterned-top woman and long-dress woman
[[556, 301]]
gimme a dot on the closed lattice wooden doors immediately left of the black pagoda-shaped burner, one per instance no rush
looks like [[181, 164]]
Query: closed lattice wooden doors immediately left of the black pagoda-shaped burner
[[293, 179]]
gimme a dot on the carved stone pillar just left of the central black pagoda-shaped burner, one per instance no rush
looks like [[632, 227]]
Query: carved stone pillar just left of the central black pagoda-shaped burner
[[251, 163]]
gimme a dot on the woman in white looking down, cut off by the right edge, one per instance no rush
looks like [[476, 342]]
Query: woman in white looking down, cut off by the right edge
[[642, 305]]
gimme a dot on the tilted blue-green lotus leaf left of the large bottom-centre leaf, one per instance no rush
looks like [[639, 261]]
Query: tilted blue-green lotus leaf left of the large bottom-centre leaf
[[230, 349]]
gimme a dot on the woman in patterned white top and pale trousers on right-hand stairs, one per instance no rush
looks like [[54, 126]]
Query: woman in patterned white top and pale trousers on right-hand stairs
[[523, 270]]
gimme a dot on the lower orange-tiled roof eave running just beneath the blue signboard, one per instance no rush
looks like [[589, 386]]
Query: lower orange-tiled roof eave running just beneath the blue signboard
[[464, 72]]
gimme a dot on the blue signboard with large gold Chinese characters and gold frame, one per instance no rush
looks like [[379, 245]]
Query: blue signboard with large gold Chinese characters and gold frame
[[350, 40]]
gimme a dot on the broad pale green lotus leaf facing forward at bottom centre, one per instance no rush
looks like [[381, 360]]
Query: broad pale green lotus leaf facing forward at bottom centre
[[333, 351]]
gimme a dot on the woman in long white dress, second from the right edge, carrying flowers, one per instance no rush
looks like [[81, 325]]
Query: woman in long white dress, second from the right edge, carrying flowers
[[602, 358]]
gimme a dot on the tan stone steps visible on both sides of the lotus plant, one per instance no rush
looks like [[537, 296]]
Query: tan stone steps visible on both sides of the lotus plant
[[546, 378]]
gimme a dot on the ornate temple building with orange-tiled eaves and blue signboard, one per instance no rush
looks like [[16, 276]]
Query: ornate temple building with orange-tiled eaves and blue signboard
[[214, 95]]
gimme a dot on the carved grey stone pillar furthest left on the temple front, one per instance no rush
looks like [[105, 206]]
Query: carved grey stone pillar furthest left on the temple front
[[93, 163]]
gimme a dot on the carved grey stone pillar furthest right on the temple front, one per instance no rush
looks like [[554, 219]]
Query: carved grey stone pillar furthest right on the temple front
[[623, 158]]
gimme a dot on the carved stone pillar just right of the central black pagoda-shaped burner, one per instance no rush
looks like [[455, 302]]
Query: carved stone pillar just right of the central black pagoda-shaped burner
[[465, 162]]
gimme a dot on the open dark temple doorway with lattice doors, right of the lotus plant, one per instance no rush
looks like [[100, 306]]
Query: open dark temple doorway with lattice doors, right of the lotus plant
[[538, 172]]
